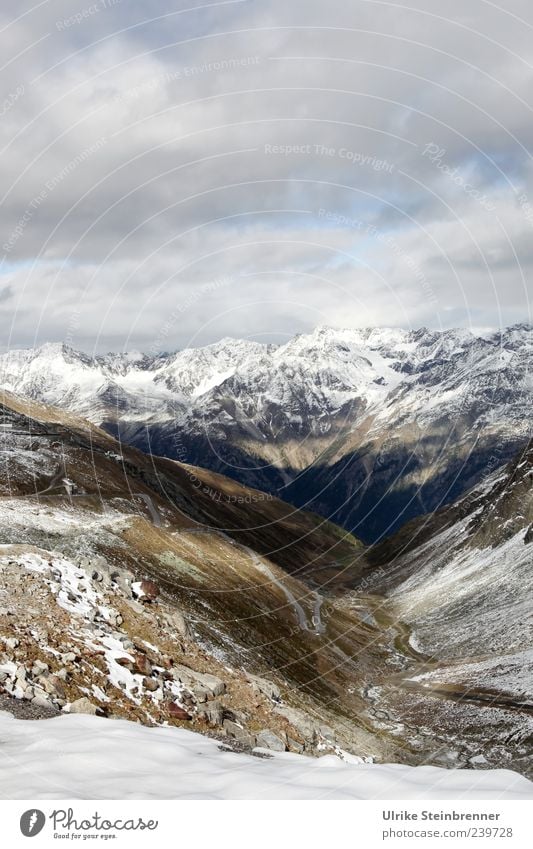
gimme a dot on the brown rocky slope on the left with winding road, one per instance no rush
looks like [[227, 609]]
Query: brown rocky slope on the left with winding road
[[138, 588]]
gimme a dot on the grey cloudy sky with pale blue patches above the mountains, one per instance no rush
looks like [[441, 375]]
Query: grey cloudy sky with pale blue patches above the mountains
[[176, 172]]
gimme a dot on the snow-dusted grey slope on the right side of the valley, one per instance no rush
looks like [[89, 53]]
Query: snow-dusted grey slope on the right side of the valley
[[460, 583]]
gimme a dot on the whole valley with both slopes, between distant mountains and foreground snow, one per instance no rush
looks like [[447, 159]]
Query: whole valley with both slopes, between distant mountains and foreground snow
[[139, 587]]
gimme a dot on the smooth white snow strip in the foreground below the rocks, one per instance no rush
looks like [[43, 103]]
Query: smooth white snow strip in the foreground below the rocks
[[85, 757]]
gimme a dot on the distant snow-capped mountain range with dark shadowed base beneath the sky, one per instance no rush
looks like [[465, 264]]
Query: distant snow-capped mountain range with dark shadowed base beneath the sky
[[367, 427]]
